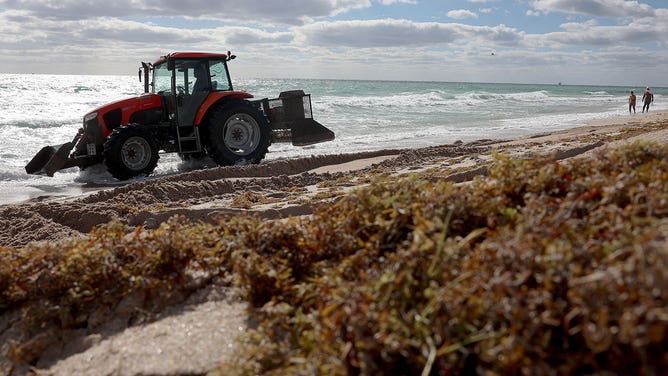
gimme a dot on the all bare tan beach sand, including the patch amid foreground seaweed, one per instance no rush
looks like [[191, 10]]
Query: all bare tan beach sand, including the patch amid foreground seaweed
[[273, 190]]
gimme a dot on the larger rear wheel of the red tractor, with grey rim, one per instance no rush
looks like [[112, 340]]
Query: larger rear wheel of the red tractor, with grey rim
[[238, 134]]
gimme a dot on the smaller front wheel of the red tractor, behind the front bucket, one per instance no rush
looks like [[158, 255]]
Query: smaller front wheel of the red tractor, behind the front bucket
[[130, 151]]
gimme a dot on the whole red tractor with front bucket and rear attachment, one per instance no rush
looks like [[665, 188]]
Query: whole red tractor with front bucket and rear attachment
[[188, 107]]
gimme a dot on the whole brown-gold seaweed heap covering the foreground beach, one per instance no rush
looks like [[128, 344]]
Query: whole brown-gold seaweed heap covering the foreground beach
[[540, 267]]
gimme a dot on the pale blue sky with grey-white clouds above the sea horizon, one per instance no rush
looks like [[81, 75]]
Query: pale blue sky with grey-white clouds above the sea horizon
[[615, 42]]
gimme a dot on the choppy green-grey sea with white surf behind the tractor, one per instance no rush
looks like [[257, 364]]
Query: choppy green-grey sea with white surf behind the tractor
[[39, 110]]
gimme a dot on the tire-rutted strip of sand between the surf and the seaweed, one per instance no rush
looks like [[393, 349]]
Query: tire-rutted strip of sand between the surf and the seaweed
[[286, 187]]
